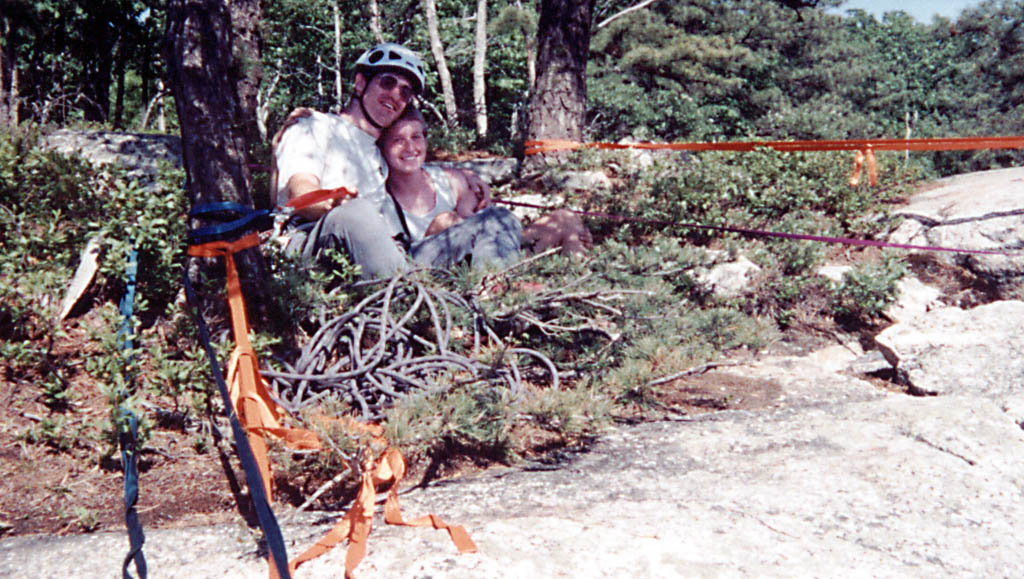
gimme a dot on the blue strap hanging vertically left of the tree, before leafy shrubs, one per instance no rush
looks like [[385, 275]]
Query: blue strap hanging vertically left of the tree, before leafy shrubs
[[127, 438]]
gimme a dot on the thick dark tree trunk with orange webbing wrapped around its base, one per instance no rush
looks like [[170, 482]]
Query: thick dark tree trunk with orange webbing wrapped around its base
[[559, 103]]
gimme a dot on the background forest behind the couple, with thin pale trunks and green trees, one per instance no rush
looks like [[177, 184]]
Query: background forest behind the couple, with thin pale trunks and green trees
[[698, 70]]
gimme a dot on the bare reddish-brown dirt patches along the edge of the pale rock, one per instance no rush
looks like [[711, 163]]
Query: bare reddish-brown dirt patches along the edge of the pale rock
[[68, 484]]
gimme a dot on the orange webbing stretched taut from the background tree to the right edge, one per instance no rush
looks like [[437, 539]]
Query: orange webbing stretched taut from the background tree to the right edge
[[949, 144]]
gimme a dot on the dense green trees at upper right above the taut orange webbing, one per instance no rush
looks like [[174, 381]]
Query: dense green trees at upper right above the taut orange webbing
[[707, 70]]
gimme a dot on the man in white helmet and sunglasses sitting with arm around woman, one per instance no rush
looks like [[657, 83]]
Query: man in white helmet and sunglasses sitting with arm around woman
[[322, 151]]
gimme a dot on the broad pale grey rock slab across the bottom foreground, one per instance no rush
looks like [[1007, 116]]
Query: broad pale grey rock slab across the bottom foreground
[[891, 486]]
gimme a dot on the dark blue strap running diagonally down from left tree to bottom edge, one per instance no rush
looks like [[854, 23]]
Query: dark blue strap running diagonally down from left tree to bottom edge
[[275, 541]]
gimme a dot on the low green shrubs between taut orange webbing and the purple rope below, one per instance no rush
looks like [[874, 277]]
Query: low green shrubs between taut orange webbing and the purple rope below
[[760, 190]]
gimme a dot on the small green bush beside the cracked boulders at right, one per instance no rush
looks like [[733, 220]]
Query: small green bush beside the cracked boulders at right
[[867, 291]]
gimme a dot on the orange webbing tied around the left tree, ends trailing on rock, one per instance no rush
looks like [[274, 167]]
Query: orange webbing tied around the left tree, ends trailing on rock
[[261, 417]]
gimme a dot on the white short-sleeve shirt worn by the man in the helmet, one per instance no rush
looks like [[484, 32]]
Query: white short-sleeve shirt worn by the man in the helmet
[[336, 151]]
